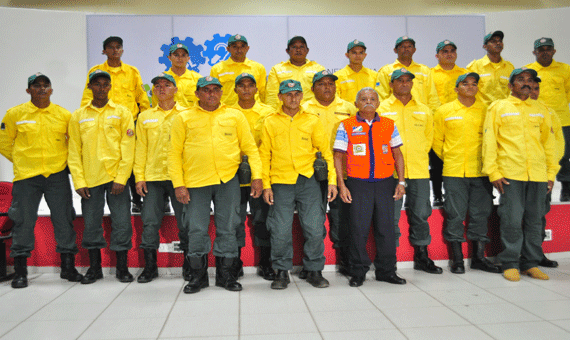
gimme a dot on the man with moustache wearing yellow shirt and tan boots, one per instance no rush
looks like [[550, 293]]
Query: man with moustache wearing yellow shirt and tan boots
[[519, 158]]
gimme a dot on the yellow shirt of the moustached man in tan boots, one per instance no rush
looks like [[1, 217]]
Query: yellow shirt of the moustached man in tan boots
[[518, 141]]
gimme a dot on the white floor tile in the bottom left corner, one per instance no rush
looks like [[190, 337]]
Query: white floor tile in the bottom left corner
[[61, 330]]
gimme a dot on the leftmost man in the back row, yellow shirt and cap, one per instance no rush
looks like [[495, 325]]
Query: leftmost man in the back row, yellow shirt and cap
[[126, 90]]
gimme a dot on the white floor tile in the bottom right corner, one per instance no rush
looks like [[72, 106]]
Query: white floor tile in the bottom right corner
[[526, 330]]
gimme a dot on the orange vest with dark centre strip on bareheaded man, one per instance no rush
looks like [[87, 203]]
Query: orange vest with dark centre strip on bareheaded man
[[369, 155]]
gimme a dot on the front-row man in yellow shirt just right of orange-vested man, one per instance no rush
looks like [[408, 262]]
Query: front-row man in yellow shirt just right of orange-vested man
[[415, 124]]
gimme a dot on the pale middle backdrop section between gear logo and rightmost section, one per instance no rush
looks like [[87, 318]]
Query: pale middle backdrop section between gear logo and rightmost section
[[328, 37]]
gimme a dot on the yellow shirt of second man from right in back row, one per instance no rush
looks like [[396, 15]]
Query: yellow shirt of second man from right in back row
[[494, 79]]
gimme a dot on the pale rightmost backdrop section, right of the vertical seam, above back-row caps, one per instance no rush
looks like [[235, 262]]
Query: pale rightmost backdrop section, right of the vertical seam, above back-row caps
[[465, 31]]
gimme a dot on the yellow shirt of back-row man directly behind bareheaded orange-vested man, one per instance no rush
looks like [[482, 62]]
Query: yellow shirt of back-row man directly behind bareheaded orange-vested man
[[350, 82]]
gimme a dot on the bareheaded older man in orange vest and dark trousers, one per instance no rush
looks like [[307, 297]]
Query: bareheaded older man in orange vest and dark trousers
[[372, 148]]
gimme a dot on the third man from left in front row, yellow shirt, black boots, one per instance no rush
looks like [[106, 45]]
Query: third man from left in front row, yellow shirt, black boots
[[151, 173]]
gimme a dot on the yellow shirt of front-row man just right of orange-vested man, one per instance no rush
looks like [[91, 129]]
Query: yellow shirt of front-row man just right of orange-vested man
[[415, 125]]
